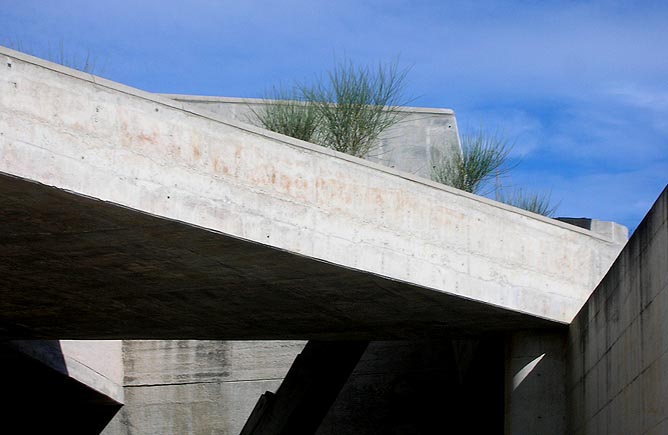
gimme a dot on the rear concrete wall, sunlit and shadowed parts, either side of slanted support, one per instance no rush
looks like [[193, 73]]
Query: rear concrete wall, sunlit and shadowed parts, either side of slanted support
[[210, 387]]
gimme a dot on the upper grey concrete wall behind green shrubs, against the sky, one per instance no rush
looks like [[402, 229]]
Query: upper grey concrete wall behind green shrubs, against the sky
[[423, 135]]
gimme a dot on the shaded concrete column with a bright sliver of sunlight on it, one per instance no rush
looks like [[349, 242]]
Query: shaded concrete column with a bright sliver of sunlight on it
[[535, 383]]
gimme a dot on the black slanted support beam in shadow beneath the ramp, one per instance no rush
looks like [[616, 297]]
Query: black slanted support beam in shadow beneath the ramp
[[307, 392]]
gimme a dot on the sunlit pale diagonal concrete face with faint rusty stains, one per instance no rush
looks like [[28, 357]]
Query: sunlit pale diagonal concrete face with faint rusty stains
[[104, 140]]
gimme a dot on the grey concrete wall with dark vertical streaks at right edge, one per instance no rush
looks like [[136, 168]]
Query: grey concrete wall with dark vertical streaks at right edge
[[618, 343]]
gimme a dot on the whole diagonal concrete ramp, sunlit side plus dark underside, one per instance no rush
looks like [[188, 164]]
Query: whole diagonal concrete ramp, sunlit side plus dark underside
[[126, 215]]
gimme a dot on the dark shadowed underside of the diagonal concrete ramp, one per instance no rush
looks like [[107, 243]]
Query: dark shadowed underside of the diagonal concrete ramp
[[75, 267]]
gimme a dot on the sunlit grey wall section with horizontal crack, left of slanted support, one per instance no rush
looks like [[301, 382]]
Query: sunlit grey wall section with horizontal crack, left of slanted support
[[176, 387]]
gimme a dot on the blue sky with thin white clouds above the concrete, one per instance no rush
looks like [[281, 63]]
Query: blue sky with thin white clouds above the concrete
[[580, 86]]
